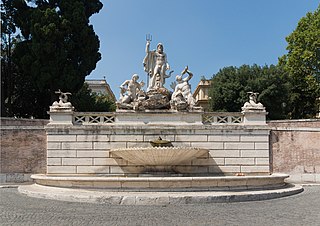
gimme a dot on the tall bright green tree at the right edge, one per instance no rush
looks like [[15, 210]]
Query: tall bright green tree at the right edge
[[302, 62]]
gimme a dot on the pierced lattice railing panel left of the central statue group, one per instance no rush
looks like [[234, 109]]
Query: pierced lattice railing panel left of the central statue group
[[93, 118]]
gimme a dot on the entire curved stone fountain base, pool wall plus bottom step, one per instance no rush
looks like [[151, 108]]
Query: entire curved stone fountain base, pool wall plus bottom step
[[159, 190]]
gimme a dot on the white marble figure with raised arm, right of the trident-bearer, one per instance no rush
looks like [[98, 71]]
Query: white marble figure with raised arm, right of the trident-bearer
[[182, 97]]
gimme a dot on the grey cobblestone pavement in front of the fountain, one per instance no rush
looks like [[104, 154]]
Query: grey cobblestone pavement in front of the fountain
[[301, 209]]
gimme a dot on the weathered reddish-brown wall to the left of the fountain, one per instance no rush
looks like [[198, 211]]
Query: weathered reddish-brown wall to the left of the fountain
[[23, 149]]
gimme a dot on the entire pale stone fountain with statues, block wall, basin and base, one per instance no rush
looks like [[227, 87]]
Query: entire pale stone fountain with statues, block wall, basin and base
[[204, 157]]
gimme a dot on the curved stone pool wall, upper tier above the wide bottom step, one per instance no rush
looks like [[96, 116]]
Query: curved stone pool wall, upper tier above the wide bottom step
[[208, 183]]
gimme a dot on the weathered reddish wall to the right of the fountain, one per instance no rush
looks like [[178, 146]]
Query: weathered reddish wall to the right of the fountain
[[295, 146]]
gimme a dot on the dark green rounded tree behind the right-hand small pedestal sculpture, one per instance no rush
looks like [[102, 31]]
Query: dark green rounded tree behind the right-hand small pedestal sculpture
[[230, 85]]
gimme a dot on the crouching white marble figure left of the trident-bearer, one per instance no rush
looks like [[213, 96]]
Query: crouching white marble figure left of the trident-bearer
[[131, 90]]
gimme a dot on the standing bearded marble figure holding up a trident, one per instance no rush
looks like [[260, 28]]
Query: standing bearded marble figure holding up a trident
[[155, 64]]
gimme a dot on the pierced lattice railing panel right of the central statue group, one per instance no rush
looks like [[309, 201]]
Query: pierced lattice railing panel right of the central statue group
[[222, 118]]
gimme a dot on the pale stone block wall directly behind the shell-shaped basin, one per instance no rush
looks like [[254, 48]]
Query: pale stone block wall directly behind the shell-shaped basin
[[86, 149]]
